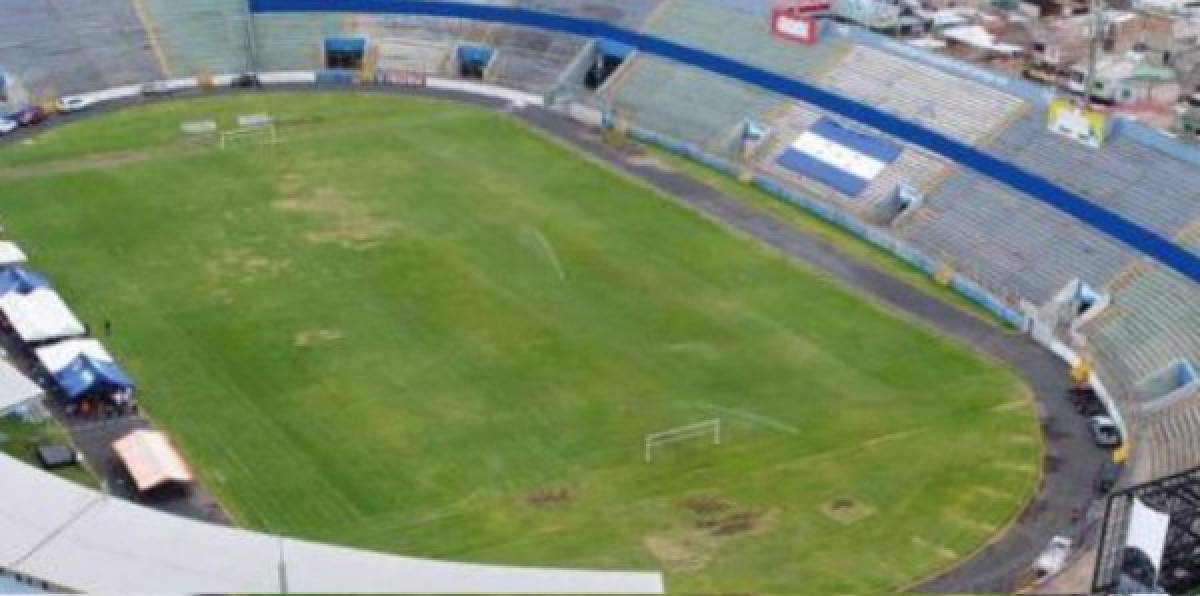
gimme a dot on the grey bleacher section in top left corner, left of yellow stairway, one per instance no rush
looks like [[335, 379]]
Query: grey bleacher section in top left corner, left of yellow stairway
[[71, 46]]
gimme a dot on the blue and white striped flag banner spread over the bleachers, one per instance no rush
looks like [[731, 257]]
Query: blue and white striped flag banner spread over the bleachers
[[839, 158]]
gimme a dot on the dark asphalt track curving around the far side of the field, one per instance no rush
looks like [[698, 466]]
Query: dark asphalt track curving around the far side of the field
[[1071, 460]]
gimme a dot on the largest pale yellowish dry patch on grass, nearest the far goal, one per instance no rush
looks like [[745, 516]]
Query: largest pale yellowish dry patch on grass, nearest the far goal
[[341, 220]]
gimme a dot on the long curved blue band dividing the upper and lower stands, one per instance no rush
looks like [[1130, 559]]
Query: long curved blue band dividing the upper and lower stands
[[1036, 186]]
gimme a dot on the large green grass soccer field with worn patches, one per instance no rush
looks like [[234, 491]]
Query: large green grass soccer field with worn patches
[[421, 328]]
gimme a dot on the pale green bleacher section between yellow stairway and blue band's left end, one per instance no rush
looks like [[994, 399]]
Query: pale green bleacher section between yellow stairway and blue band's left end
[[201, 35]]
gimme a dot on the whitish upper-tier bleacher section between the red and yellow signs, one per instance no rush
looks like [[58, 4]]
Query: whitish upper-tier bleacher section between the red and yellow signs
[[961, 109]]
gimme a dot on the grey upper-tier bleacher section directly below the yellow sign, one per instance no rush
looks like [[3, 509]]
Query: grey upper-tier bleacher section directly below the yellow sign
[[1142, 184]]
